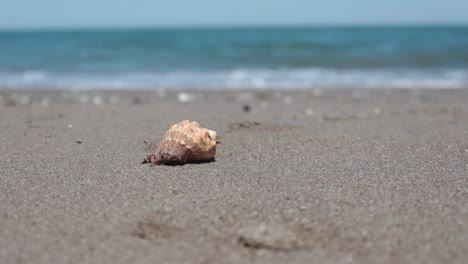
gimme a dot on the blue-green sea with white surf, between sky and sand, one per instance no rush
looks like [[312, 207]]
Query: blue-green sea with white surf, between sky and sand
[[232, 58]]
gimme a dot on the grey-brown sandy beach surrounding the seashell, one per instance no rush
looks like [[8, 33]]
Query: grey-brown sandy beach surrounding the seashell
[[302, 177]]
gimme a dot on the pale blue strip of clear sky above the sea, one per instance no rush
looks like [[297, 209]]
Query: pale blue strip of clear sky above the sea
[[134, 13]]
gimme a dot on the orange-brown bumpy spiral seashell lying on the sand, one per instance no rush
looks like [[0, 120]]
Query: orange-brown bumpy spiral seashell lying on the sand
[[185, 142]]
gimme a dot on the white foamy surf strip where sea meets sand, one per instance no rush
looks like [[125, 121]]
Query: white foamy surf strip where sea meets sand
[[315, 78]]
